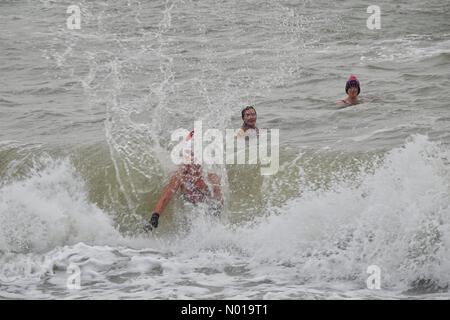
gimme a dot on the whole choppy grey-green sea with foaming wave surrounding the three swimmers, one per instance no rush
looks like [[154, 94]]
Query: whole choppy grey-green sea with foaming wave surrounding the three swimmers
[[86, 117]]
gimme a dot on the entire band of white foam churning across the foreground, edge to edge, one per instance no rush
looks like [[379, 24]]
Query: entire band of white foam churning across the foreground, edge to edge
[[395, 216]]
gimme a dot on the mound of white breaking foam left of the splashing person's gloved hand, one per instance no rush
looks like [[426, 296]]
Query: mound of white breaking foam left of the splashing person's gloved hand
[[50, 208]]
